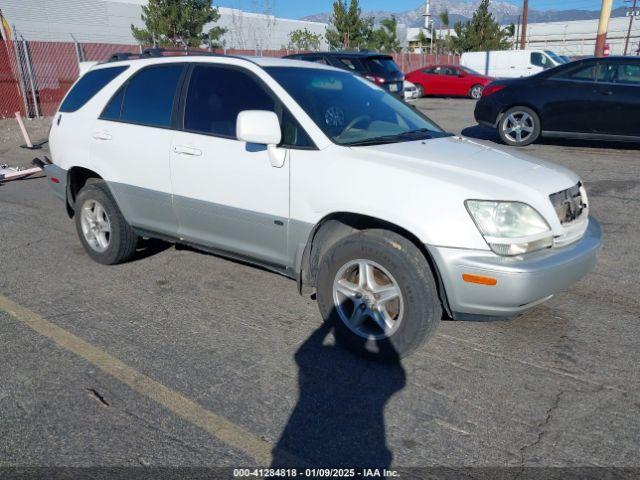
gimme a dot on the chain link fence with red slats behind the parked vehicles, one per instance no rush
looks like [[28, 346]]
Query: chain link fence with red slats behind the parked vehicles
[[35, 75]]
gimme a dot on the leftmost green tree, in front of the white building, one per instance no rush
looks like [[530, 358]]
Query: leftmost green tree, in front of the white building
[[178, 23]]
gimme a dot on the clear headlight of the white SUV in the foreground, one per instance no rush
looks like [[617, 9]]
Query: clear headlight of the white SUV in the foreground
[[510, 228]]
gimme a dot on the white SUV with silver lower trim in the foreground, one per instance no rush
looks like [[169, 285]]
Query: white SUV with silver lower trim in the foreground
[[321, 176]]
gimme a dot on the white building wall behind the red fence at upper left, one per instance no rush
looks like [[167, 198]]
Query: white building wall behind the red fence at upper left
[[109, 21]]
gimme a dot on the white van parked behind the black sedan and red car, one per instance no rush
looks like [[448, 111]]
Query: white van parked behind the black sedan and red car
[[510, 63]]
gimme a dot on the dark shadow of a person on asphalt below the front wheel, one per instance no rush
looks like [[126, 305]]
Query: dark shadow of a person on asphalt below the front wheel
[[338, 421]]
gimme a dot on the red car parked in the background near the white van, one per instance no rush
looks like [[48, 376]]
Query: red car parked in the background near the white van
[[451, 80]]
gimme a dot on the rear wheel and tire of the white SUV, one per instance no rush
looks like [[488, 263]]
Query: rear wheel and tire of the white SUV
[[97, 211]]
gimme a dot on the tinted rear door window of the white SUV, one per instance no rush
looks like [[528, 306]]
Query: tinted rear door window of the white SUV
[[149, 96]]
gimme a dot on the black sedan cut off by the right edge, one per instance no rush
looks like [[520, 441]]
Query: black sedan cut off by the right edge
[[596, 98]]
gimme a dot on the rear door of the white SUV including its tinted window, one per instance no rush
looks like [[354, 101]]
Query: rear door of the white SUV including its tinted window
[[132, 140]]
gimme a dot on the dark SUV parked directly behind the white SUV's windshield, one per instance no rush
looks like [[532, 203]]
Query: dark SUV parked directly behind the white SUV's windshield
[[378, 68]]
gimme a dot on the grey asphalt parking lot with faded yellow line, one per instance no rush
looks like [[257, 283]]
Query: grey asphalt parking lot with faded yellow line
[[181, 358]]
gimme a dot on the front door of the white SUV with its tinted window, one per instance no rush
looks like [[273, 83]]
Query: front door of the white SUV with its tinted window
[[227, 194]]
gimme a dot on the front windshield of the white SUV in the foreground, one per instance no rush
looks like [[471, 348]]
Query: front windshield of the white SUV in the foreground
[[352, 111]]
